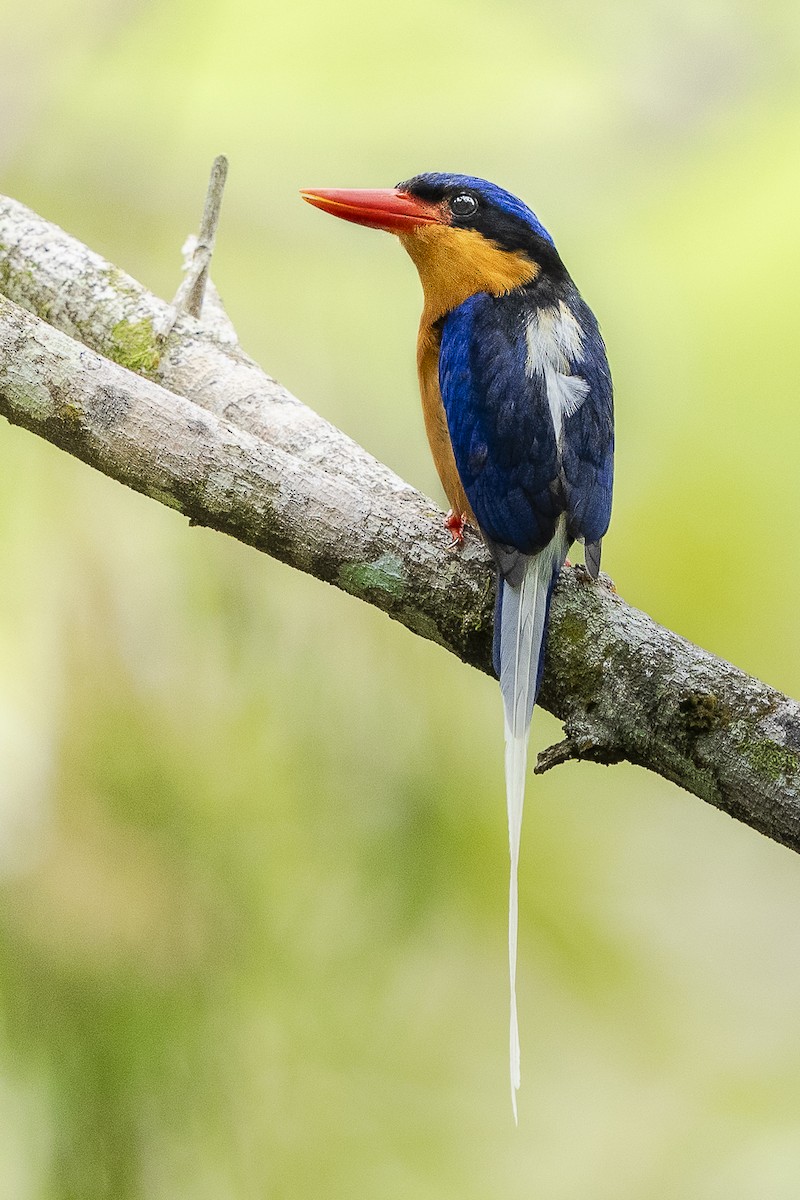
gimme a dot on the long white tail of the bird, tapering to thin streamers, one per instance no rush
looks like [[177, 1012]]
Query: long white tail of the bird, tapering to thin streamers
[[524, 619]]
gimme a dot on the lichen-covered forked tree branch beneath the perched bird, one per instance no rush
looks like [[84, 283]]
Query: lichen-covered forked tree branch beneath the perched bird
[[187, 418]]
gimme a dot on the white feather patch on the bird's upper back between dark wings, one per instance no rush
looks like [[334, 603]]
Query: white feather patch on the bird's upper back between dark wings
[[555, 343]]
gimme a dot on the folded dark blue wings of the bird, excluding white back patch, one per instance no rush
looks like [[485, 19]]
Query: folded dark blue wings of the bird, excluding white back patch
[[518, 478]]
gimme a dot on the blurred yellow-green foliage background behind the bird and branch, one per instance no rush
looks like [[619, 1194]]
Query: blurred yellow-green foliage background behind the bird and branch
[[252, 835]]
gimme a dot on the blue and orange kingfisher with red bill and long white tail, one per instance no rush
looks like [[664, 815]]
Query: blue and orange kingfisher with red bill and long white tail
[[518, 401]]
